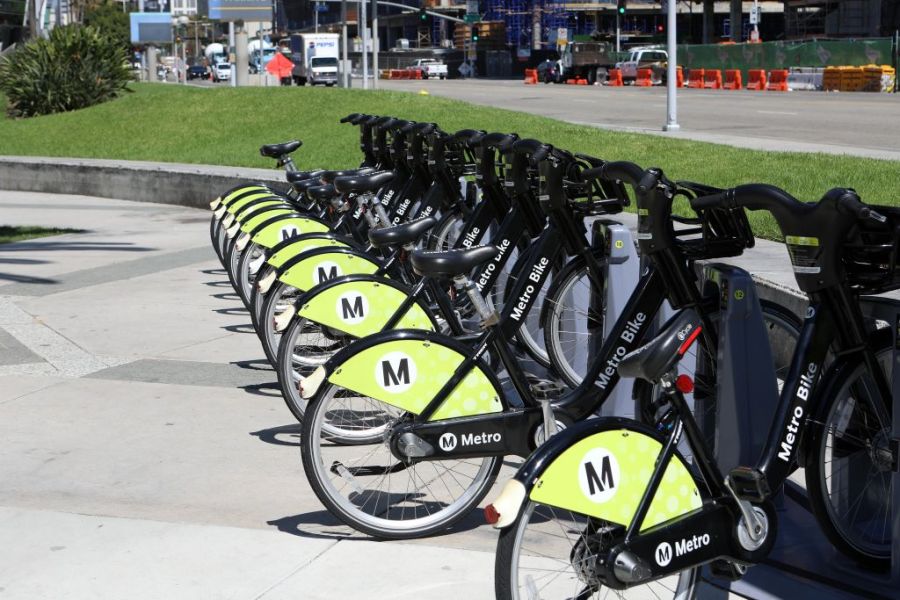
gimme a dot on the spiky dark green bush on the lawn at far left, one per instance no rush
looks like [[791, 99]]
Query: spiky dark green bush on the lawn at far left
[[74, 68]]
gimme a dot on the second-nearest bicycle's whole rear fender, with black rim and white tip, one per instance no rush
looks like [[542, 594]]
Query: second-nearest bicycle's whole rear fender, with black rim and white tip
[[406, 369]]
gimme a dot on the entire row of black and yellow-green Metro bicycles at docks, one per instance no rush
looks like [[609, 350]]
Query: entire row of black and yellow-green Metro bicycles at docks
[[464, 297]]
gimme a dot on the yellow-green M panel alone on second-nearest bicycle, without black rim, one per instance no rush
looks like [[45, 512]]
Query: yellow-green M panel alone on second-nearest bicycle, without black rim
[[409, 373]]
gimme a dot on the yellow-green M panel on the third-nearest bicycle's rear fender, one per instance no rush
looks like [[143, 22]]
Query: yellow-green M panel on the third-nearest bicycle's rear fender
[[361, 308]]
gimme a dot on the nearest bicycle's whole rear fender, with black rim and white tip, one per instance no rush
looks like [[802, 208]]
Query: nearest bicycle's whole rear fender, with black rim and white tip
[[601, 468]]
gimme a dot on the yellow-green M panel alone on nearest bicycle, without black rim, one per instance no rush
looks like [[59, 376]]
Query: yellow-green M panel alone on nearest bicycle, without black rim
[[605, 475]]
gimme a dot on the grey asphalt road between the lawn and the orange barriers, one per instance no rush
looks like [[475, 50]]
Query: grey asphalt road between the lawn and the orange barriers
[[863, 124]]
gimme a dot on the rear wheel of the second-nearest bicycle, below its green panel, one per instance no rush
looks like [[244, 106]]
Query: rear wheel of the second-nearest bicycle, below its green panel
[[371, 490]]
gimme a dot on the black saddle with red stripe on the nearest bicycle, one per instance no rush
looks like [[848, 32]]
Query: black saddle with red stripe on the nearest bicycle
[[658, 356]]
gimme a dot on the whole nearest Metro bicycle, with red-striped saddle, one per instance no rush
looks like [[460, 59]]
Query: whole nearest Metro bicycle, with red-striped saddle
[[637, 519]]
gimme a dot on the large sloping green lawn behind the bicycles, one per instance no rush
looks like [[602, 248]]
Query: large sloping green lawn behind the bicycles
[[227, 125]]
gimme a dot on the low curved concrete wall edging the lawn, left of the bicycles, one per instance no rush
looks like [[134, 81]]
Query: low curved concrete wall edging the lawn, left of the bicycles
[[167, 183]]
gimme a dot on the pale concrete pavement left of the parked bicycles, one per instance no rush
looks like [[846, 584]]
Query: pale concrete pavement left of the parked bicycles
[[147, 452]]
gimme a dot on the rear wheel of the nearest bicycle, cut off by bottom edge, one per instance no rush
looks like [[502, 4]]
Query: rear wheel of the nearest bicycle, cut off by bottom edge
[[552, 554]]
